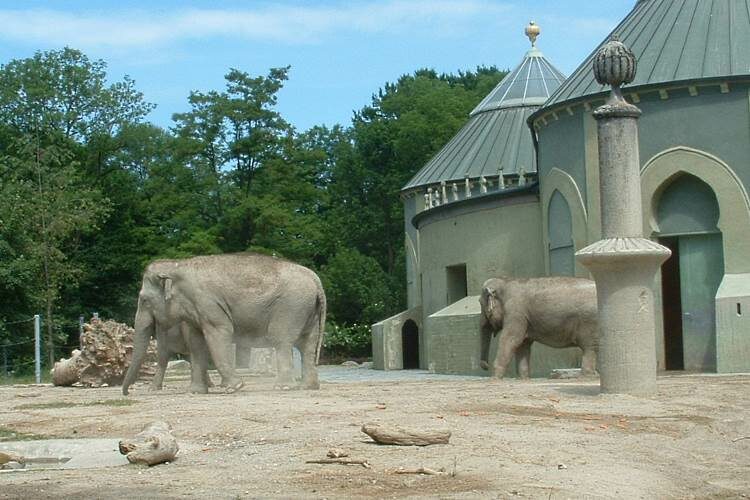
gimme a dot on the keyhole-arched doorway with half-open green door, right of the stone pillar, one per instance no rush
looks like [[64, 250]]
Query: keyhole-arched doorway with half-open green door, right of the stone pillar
[[687, 213]]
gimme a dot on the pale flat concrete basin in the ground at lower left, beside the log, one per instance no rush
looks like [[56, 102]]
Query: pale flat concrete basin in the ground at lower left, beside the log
[[65, 454]]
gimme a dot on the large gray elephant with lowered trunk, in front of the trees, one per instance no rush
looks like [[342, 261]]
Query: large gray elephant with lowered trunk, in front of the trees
[[267, 299]]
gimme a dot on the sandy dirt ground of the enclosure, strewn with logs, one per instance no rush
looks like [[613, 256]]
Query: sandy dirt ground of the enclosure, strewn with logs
[[510, 439]]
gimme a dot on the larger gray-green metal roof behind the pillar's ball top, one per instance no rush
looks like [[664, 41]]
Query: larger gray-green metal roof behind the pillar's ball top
[[674, 41]]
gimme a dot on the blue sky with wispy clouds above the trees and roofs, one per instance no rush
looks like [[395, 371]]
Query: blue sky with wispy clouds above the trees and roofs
[[341, 52]]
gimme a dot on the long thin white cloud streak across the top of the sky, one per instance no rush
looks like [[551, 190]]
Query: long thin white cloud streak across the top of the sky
[[294, 25]]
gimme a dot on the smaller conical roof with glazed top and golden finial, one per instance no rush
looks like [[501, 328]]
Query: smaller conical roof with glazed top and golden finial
[[496, 135]]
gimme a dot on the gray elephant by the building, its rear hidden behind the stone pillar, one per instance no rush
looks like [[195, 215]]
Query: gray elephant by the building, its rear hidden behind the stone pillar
[[557, 311]]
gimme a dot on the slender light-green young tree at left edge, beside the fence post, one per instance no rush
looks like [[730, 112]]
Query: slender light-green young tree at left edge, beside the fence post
[[48, 207]]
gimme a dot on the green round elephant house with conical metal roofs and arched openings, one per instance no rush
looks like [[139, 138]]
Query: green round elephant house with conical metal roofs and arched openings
[[516, 193]]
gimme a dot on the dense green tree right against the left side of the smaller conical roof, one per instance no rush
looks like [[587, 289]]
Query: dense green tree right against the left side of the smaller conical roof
[[391, 139]]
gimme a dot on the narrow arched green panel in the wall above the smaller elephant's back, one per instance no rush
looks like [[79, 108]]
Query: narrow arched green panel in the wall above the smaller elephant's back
[[560, 235]]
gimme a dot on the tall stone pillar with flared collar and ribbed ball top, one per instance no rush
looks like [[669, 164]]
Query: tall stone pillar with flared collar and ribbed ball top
[[623, 263]]
